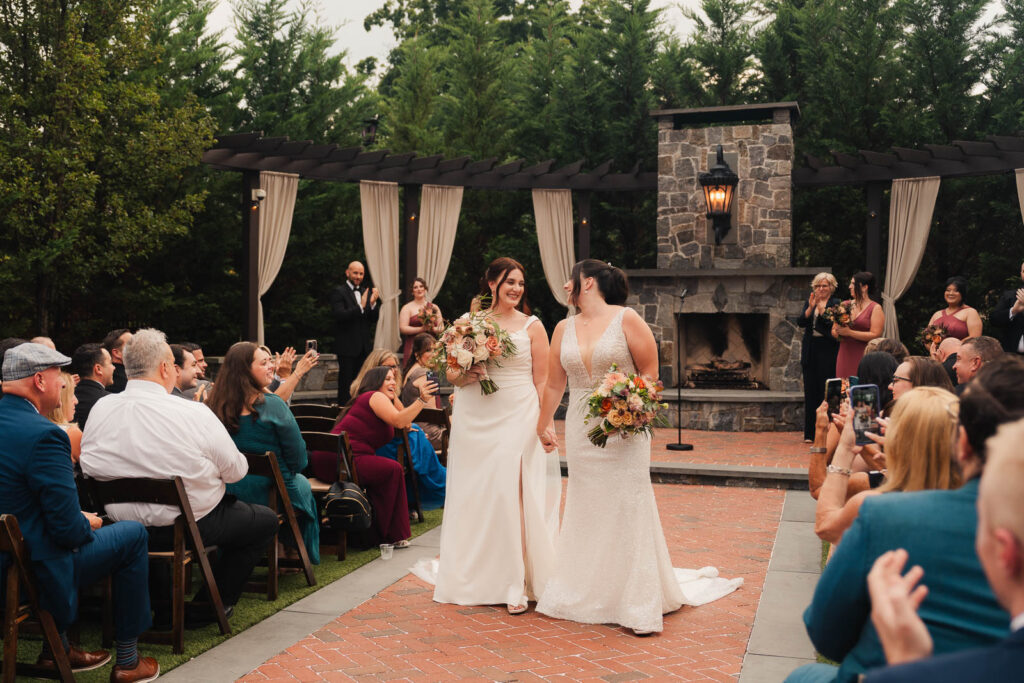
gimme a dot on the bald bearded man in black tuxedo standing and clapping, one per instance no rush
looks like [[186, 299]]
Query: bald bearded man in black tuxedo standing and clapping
[[356, 311]]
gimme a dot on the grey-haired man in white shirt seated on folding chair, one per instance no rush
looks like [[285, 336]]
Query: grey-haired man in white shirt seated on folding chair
[[147, 433]]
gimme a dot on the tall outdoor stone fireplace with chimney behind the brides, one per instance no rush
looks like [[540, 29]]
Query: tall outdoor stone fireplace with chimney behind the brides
[[738, 322]]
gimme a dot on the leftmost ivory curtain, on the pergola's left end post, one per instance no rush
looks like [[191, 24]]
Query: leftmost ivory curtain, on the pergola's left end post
[[275, 227]]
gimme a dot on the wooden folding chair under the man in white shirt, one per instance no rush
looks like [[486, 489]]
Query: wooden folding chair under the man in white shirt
[[170, 492]]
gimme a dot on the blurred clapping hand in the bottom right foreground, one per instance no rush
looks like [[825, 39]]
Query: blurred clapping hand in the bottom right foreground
[[895, 601]]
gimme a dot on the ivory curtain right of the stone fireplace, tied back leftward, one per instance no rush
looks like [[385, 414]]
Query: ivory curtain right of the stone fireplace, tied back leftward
[[910, 223]]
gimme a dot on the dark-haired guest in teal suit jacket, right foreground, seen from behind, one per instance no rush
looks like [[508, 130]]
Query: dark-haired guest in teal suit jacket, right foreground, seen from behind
[[937, 529]]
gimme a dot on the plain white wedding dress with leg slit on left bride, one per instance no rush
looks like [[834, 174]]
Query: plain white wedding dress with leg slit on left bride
[[493, 448]]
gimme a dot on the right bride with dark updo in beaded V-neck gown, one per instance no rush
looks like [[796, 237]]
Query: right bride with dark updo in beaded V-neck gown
[[612, 562]]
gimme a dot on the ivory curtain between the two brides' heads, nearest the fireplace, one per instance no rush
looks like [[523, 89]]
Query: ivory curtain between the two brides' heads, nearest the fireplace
[[553, 211]]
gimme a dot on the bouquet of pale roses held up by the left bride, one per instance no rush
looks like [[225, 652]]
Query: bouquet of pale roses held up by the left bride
[[473, 339]]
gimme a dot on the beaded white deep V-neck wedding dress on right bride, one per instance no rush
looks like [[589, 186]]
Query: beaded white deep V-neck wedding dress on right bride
[[612, 562]]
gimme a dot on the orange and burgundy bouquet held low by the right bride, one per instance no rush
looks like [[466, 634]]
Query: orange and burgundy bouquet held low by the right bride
[[624, 404]]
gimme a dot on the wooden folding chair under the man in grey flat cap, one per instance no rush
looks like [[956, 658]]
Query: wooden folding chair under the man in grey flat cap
[[22, 580]]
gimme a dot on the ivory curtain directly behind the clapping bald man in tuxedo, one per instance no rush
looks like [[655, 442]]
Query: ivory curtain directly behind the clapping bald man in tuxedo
[[379, 202]]
